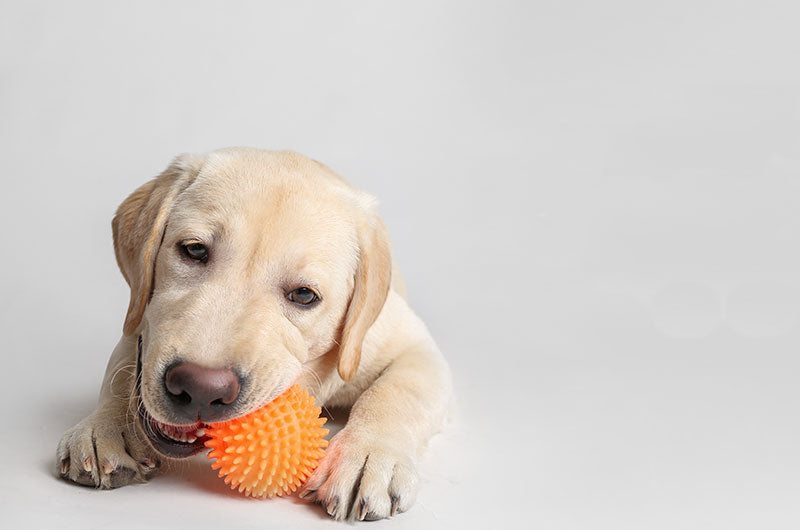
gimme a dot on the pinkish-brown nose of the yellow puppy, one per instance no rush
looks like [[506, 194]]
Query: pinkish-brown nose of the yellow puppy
[[200, 393]]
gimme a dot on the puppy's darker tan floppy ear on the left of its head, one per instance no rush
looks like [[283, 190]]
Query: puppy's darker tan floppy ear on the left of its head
[[138, 228]]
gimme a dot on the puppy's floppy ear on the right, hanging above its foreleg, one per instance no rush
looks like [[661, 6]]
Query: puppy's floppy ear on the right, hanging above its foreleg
[[373, 278]]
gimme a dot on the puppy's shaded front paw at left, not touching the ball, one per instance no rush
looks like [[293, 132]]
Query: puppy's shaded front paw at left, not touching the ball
[[105, 451]]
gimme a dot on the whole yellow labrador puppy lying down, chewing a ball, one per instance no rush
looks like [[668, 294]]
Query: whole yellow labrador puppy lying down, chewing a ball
[[249, 271]]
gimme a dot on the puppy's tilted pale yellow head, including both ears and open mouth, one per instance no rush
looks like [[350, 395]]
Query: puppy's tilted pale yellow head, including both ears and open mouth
[[243, 265]]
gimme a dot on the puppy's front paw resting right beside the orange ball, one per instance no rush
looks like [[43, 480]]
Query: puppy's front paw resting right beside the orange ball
[[363, 478]]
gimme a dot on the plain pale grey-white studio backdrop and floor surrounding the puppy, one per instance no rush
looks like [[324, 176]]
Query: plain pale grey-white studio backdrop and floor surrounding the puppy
[[595, 205]]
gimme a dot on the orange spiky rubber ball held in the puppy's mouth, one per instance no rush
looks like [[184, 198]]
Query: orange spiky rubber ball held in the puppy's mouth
[[273, 450]]
